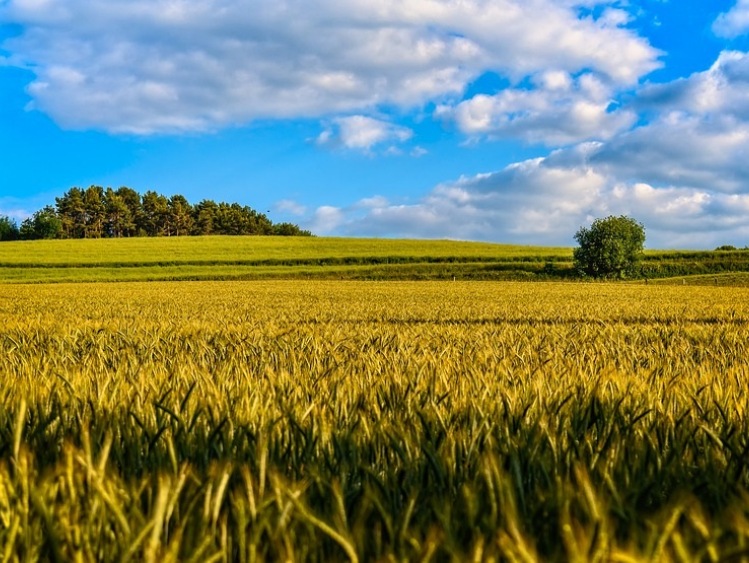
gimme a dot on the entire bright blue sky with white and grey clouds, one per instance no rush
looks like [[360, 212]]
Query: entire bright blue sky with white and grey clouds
[[510, 121]]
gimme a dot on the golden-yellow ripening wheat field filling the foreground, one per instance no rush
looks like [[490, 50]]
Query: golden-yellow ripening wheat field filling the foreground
[[334, 420]]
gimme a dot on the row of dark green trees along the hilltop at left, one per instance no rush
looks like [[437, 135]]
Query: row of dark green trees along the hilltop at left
[[96, 212]]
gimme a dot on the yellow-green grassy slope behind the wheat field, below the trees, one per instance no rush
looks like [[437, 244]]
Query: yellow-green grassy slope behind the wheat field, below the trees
[[238, 258]]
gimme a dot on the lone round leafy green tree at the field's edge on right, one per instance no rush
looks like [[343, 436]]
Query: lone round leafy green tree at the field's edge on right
[[611, 247]]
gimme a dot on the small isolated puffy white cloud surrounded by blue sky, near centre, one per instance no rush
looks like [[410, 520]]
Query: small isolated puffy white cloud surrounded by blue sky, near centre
[[360, 132]]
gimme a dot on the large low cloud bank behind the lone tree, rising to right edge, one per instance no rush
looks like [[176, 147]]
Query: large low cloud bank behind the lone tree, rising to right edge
[[682, 172]]
